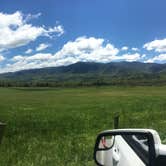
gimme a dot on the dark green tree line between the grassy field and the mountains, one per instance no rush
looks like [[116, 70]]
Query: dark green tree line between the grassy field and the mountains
[[114, 81]]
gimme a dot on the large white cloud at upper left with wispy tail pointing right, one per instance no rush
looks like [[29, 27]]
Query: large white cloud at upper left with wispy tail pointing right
[[16, 32]]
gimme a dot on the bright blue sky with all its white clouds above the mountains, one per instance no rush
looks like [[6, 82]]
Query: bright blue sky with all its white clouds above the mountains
[[42, 33]]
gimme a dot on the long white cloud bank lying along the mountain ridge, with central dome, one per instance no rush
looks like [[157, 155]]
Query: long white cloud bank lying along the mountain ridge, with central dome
[[81, 49]]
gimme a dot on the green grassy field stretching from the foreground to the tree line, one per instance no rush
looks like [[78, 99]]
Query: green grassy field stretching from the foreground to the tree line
[[59, 126]]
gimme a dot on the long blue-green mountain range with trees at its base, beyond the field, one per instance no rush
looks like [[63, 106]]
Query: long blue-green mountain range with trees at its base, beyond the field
[[89, 73]]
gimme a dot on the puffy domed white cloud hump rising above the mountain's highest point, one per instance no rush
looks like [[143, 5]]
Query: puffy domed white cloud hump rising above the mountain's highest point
[[89, 49]]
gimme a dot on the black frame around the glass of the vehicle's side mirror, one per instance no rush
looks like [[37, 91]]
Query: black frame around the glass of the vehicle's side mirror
[[118, 132]]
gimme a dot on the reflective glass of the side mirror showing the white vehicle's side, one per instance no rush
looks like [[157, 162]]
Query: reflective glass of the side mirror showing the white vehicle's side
[[123, 149]]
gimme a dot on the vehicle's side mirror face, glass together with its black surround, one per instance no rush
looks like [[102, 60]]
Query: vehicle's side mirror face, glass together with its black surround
[[125, 147]]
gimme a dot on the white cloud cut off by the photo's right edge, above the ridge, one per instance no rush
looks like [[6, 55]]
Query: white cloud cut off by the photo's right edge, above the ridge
[[156, 45]]
